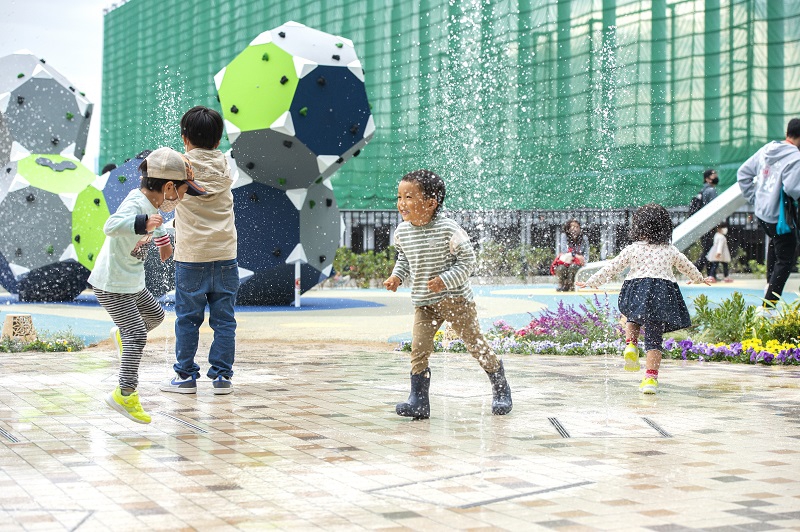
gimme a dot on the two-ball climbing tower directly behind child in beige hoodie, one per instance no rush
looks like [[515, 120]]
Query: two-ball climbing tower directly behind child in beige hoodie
[[295, 110]]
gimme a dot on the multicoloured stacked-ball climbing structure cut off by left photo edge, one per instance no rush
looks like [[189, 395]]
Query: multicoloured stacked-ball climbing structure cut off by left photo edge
[[51, 216]]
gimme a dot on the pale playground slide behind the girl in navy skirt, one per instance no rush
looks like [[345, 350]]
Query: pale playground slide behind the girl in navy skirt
[[694, 227]]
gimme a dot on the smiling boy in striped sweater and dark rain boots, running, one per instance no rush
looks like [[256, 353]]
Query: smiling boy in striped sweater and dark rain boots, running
[[435, 256]]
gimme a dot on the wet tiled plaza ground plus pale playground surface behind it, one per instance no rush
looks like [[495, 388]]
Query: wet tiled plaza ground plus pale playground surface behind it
[[310, 440]]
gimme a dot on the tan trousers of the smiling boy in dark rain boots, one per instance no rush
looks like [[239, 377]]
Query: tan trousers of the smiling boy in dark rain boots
[[464, 319]]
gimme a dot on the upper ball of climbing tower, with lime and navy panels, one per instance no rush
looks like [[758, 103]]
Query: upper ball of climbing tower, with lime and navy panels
[[295, 106]]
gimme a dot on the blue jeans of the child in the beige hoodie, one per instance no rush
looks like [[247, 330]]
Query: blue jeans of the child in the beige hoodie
[[198, 284]]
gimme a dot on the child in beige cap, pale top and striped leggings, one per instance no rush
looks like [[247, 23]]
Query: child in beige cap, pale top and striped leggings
[[118, 275]]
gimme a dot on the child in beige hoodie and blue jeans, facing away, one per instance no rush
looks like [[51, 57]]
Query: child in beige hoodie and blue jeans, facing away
[[206, 269]]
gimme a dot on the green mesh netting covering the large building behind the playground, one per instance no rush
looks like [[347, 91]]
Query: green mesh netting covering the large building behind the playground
[[527, 104]]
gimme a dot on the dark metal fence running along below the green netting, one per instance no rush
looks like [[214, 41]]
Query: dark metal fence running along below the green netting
[[607, 230]]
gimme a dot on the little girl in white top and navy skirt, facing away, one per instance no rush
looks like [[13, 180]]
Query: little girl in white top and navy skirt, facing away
[[650, 297]]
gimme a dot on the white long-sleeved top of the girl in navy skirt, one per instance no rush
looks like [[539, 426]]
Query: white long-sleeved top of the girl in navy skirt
[[645, 260]]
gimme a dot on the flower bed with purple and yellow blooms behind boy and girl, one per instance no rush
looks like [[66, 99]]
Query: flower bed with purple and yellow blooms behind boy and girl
[[594, 328]]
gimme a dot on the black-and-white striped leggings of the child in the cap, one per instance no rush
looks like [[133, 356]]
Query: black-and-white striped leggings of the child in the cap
[[135, 315]]
